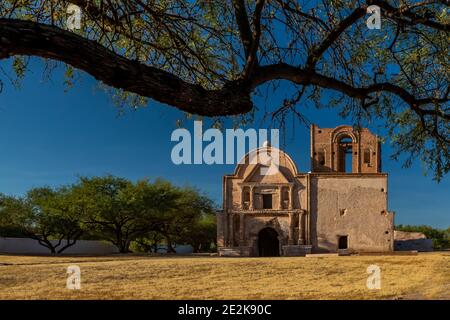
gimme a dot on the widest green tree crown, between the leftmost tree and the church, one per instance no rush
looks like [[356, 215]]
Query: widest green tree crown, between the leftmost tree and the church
[[122, 211]]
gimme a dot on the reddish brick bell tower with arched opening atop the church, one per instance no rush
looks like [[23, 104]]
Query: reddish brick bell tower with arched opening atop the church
[[344, 149]]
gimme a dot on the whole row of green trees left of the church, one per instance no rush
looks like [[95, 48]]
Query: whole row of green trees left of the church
[[113, 209]]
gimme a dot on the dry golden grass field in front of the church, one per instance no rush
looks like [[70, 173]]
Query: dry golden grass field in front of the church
[[425, 276]]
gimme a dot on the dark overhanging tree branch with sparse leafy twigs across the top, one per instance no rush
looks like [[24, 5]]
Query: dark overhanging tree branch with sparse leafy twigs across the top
[[210, 57]]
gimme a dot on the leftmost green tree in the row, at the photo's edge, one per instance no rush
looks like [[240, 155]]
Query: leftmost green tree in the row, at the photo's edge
[[45, 215]]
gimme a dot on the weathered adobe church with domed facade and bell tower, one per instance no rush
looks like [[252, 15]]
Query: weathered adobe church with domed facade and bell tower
[[278, 211]]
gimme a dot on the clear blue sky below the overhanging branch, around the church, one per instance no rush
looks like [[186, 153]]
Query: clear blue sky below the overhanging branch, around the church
[[49, 137]]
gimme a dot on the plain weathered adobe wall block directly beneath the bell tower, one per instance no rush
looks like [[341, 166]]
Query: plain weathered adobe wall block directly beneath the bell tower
[[353, 206]]
